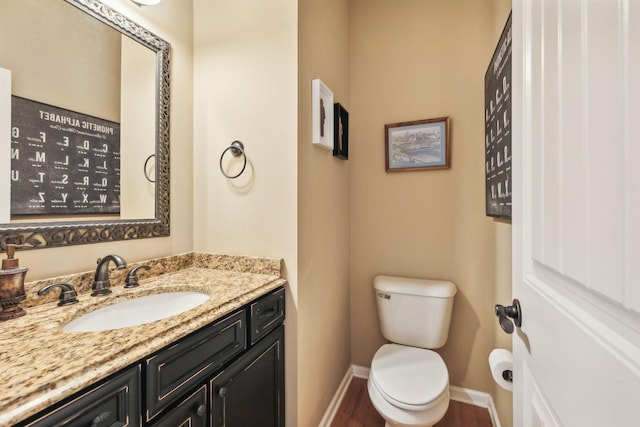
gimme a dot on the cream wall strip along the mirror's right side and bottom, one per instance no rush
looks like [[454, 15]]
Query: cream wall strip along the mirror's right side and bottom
[[171, 20]]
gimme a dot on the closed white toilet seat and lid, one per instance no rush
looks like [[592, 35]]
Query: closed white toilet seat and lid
[[408, 377]]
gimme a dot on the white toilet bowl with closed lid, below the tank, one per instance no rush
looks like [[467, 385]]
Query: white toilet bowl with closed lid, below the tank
[[408, 386]]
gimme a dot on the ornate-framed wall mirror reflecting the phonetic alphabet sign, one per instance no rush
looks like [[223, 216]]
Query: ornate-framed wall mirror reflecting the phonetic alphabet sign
[[85, 79]]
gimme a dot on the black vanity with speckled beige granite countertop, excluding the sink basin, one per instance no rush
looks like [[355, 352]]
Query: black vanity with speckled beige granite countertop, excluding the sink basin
[[219, 364]]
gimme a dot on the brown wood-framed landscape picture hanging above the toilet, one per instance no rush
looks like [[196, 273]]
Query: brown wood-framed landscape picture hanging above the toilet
[[418, 145]]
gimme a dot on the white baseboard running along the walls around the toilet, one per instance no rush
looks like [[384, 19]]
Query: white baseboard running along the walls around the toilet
[[459, 394]]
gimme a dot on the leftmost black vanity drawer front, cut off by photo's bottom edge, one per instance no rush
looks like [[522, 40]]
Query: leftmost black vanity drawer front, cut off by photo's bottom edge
[[116, 402]]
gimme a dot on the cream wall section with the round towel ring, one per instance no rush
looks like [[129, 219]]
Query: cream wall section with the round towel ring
[[245, 80]]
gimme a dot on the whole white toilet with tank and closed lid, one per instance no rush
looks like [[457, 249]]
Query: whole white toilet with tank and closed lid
[[408, 383]]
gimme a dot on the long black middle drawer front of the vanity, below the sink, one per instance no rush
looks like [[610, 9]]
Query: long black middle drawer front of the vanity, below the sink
[[173, 371]]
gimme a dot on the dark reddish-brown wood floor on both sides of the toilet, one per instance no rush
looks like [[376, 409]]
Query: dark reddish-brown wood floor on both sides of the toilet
[[356, 410]]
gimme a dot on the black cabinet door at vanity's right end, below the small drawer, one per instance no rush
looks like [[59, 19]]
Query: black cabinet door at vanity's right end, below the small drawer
[[250, 392]]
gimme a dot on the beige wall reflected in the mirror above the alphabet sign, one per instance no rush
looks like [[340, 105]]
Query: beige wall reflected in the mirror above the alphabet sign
[[62, 32]]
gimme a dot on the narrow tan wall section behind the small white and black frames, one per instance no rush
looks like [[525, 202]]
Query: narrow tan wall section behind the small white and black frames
[[324, 353]]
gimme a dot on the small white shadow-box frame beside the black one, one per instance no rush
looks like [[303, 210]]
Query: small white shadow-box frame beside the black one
[[321, 115]]
